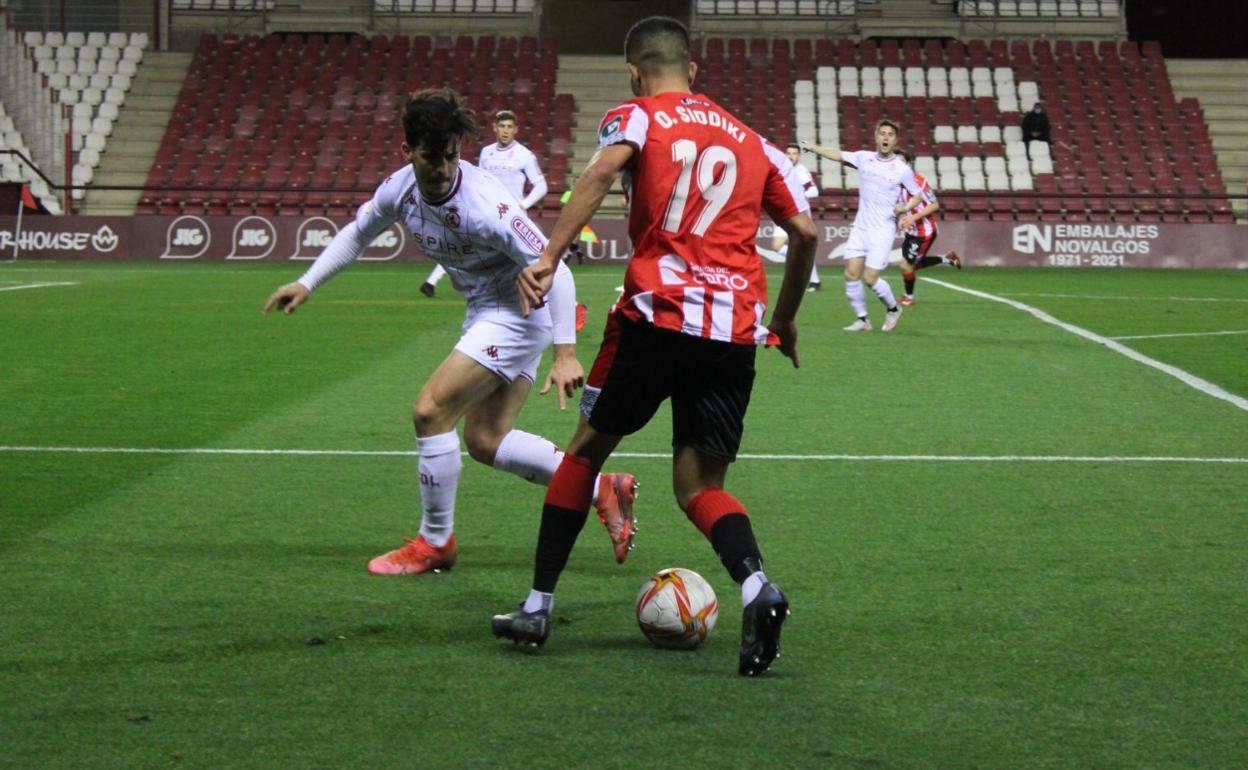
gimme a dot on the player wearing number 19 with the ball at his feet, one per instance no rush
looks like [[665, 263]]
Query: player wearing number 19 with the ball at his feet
[[688, 323]]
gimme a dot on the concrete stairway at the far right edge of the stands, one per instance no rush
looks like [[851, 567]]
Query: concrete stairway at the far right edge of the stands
[[1220, 85]]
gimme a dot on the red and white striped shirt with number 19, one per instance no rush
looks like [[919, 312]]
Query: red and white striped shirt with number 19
[[697, 188]]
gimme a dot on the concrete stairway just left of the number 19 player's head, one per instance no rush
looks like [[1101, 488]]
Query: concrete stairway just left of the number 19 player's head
[[598, 84]]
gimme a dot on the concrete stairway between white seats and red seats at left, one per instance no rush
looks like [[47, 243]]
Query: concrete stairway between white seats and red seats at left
[[128, 157]]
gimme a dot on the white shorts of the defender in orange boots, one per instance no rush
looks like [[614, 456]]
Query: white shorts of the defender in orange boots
[[507, 344]]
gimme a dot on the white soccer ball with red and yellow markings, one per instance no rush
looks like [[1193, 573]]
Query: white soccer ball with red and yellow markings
[[677, 608]]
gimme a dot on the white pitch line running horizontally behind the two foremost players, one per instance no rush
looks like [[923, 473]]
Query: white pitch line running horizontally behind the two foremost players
[[904, 459]]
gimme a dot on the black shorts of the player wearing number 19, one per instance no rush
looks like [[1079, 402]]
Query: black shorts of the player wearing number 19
[[640, 366]]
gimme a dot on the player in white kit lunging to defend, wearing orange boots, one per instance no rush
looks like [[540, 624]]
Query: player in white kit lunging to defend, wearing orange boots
[[467, 222]]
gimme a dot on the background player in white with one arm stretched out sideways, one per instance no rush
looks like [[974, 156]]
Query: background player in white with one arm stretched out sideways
[[875, 225]]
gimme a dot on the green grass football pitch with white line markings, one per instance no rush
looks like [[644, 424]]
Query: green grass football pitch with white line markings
[[1014, 532]]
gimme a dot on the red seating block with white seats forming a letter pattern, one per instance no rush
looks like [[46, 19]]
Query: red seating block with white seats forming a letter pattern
[[1124, 148]]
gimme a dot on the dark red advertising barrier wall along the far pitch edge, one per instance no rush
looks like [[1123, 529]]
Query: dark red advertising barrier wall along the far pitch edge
[[284, 239]]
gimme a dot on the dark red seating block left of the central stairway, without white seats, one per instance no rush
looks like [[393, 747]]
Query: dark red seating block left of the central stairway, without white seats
[[281, 124]]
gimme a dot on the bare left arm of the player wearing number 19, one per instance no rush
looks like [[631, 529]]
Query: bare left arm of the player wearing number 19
[[587, 197]]
